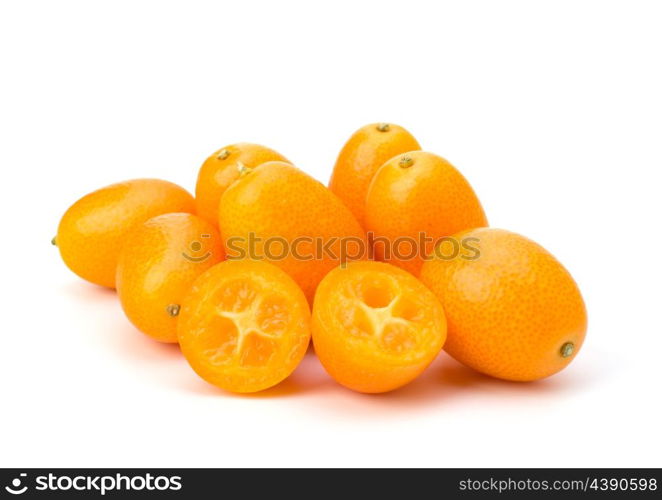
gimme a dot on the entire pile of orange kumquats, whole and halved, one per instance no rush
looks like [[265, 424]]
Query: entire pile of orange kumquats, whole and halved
[[390, 263]]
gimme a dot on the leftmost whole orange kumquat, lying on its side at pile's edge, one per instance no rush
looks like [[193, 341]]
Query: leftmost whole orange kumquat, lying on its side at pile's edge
[[92, 231]]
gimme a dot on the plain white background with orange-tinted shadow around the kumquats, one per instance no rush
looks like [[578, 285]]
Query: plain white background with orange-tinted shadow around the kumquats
[[553, 110]]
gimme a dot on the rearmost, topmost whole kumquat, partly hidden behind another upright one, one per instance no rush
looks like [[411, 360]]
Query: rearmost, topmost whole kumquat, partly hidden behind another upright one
[[360, 158]]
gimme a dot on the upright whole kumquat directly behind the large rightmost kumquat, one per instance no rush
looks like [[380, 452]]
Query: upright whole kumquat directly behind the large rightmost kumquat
[[419, 192]]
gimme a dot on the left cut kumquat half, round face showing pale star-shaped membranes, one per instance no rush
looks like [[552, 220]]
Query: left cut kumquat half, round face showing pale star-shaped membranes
[[244, 326]]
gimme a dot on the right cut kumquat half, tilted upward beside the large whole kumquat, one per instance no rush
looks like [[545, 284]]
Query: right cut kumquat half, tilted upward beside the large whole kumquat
[[375, 326]]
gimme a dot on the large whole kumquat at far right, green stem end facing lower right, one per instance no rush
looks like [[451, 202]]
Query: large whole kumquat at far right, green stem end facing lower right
[[511, 310]]
